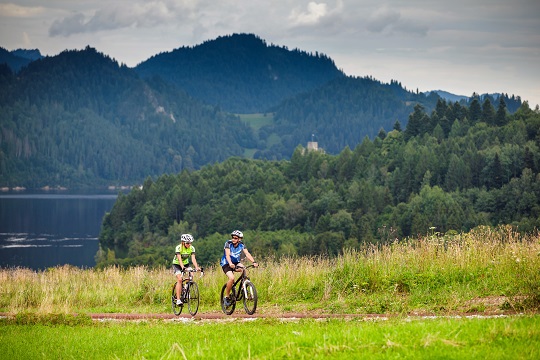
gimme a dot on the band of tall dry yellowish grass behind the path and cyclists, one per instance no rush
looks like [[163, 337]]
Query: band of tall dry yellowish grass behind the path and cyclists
[[484, 270]]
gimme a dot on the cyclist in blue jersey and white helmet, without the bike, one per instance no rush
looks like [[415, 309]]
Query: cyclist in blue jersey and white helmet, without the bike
[[230, 261]]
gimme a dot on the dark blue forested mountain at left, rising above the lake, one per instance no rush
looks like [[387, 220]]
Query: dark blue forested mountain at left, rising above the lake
[[79, 119]]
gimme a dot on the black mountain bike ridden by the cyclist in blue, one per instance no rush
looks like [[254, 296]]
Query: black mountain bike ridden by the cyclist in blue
[[242, 290]]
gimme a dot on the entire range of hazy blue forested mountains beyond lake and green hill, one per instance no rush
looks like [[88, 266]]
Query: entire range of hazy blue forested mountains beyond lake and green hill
[[81, 119]]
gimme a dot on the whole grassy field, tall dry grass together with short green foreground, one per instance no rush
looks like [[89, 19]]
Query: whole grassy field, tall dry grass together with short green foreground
[[481, 292]]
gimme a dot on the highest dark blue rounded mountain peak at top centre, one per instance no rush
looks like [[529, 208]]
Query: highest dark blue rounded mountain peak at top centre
[[241, 73]]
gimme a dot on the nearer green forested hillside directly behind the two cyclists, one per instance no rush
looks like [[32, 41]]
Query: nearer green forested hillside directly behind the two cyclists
[[430, 177]]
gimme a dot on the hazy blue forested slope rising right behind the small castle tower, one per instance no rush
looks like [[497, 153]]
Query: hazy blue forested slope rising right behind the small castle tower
[[341, 113]]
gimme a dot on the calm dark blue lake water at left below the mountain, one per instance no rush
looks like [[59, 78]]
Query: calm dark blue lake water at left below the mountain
[[42, 230]]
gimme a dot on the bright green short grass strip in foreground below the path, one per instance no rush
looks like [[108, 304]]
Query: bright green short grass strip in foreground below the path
[[516, 337]]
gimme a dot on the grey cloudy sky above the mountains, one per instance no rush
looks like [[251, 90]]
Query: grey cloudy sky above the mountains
[[460, 46]]
